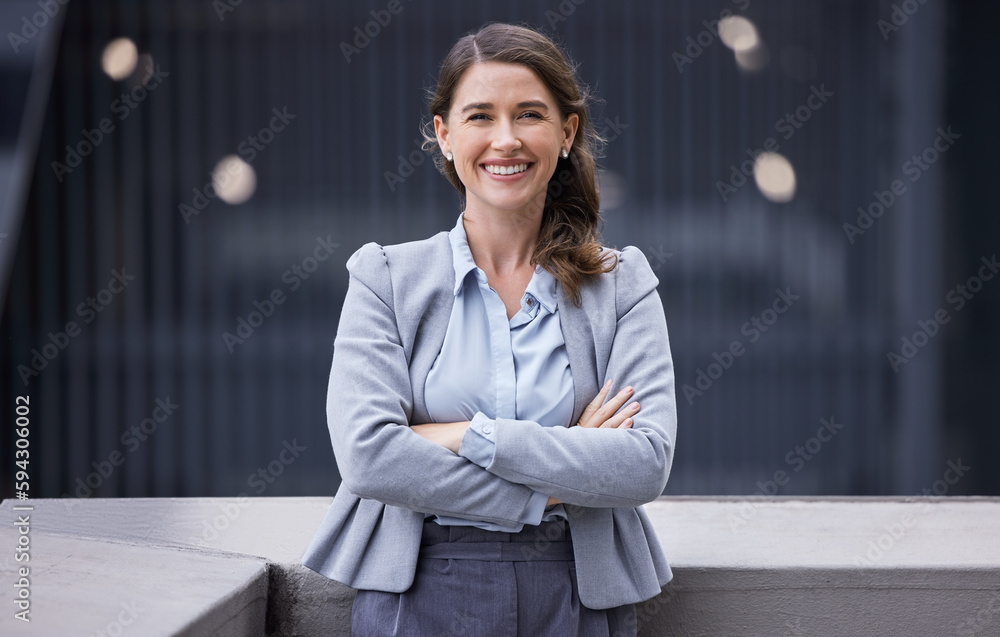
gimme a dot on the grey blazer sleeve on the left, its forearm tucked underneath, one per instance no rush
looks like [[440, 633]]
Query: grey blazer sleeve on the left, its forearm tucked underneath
[[369, 406]]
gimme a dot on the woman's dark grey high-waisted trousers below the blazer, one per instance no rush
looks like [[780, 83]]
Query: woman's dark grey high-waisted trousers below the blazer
[[487, 583]]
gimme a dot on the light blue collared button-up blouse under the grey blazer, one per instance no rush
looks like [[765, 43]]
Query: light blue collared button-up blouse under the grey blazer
[[492, 367]]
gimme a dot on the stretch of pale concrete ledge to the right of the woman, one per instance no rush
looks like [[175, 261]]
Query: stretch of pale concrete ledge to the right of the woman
[[828, 566]]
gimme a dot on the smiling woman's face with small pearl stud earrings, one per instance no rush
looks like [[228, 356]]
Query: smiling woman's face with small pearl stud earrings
[[503, 119]]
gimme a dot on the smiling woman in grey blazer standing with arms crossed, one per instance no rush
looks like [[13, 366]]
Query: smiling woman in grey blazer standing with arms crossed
[[488, 488]]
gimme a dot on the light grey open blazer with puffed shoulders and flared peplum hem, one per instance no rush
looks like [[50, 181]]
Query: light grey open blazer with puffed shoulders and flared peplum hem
[[392, 326]]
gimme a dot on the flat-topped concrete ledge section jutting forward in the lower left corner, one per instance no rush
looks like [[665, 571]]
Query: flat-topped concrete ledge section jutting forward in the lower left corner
[[100, 587]]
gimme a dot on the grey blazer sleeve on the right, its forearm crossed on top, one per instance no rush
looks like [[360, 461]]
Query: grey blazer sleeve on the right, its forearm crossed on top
[[607, 467]]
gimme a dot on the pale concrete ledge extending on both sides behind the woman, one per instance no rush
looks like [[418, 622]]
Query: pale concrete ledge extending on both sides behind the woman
[[743, 566]]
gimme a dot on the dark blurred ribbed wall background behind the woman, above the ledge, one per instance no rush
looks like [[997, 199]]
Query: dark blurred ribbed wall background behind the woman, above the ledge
[[674, 133]]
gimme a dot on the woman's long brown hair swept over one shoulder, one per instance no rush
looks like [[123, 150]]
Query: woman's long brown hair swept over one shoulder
[[569, 243]]
